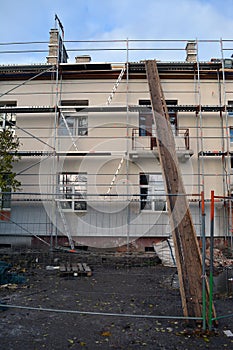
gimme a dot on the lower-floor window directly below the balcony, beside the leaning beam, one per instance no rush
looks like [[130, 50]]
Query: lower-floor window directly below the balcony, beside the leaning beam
[[152, 193]]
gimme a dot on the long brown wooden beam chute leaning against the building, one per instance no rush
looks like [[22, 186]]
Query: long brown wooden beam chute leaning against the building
[[187, 250]]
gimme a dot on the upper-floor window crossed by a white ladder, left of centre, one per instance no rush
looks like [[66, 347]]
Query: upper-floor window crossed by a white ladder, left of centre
[[73, 125]]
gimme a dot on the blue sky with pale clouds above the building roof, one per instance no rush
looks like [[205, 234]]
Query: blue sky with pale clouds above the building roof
[[86, 20]]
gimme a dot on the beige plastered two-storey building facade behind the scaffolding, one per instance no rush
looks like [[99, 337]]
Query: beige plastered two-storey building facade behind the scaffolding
[[89, 168]]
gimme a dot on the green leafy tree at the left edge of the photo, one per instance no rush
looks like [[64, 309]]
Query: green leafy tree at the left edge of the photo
[[9, 145]]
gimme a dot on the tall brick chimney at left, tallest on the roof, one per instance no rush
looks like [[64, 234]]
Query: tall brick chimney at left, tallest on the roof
[[57, 50]]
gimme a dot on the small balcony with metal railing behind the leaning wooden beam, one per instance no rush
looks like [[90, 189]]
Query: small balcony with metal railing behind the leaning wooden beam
[[146, 146]]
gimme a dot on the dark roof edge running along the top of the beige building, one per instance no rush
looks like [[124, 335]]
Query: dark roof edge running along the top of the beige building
[[102, 70]]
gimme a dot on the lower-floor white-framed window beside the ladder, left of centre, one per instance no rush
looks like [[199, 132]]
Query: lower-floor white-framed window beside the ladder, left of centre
[[73, 190]]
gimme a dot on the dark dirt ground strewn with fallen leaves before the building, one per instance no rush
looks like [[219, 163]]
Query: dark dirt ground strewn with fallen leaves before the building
[[118, 292]]
